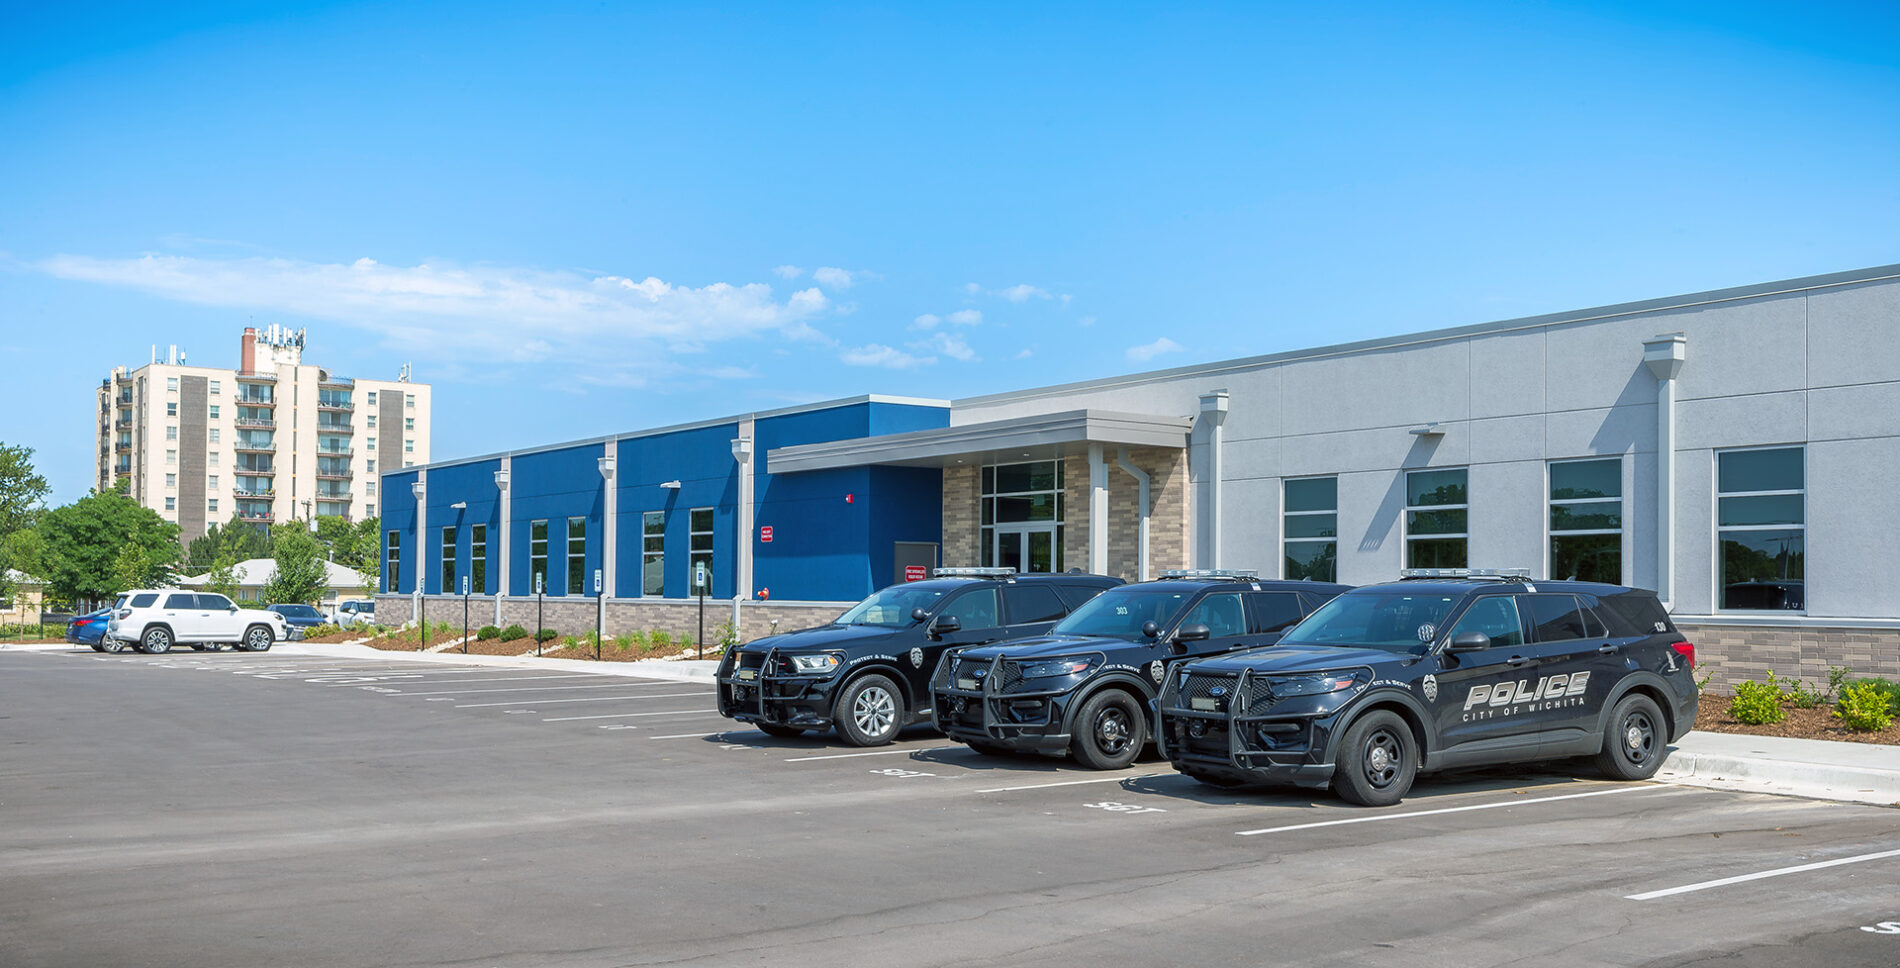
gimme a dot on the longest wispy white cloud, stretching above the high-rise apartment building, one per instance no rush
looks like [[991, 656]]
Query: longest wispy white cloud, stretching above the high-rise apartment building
[[468, 311]]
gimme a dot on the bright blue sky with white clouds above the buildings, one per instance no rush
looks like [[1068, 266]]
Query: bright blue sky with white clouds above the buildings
[[579, 220]]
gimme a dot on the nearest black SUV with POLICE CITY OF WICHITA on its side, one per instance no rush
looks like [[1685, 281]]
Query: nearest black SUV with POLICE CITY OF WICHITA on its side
[[1435, 672]]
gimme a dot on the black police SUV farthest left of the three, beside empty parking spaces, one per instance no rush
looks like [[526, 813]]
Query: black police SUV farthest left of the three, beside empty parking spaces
[[869, 670]]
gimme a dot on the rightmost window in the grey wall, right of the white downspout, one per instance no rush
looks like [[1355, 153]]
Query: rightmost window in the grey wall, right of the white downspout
[[1762, 528]]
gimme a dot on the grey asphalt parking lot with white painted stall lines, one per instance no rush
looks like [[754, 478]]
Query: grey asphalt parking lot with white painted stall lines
[[299, 811]]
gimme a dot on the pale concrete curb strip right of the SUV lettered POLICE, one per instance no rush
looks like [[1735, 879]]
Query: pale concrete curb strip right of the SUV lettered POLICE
[[1817, 769]]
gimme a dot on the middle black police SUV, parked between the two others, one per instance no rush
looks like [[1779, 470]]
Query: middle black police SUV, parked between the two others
[[1086, 687]]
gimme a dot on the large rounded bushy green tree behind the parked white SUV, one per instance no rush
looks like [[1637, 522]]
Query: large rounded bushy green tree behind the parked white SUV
[[81, 547]]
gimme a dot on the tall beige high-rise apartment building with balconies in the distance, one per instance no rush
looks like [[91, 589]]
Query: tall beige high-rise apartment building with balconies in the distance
[[271, 440]]
